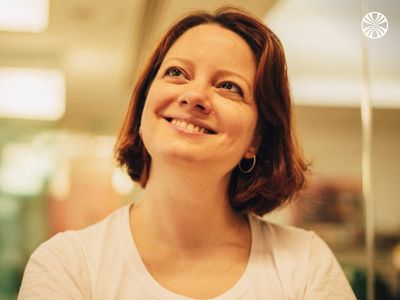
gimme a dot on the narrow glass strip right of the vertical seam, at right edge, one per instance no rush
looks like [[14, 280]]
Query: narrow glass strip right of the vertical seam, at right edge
[[384, 77]]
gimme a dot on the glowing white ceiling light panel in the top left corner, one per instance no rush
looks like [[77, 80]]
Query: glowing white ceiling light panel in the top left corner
[[24, 15]]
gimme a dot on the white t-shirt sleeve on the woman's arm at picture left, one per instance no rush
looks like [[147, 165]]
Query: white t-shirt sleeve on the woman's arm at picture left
[[57, 270]]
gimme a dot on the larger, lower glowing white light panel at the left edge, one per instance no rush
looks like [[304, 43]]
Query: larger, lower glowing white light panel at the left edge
[[32, 93]]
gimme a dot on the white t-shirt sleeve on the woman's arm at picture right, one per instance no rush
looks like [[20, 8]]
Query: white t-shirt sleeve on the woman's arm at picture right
[[326, 279]]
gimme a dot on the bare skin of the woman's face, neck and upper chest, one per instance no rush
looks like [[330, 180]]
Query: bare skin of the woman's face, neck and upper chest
[[202, 245]]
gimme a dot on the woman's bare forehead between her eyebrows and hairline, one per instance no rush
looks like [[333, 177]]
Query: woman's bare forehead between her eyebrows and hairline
[[213, 43]]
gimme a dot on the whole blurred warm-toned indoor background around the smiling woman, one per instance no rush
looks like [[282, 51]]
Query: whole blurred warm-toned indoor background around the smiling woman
[[67, 69]]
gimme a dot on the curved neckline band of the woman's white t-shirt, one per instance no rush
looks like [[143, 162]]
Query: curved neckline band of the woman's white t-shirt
[[152, 285]]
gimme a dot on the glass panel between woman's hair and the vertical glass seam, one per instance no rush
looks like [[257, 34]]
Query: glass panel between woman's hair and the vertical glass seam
[[324, 52]]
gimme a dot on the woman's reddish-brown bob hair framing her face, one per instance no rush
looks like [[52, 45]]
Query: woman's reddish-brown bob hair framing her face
[[280, 169]]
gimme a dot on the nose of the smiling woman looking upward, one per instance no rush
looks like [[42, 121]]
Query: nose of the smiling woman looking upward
[[196, 99]]
